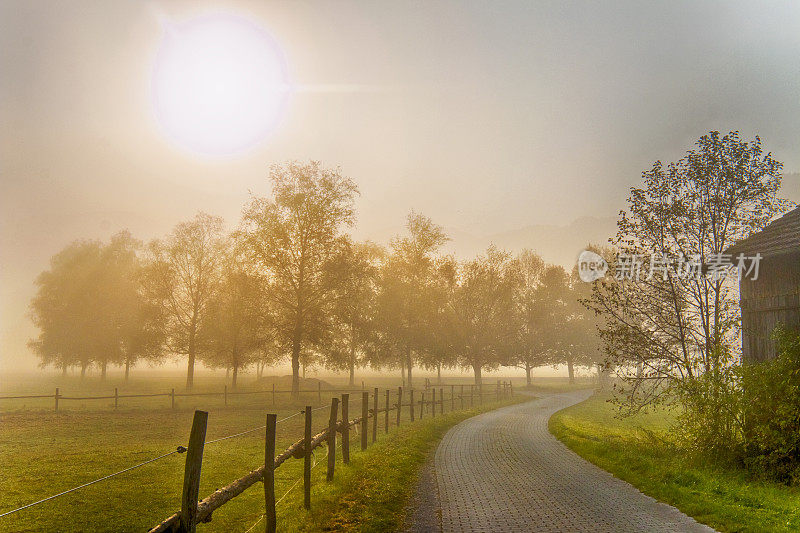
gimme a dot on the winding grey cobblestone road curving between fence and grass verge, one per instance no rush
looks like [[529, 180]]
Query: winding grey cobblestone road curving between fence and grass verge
[[503, 471]]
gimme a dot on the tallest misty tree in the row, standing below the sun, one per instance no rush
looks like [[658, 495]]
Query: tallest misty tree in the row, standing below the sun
[[294, 238]]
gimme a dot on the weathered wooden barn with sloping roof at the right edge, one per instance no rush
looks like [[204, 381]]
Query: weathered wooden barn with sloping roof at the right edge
[[773, 298]]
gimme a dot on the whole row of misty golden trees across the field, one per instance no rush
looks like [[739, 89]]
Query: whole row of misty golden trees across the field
[[290, 283]]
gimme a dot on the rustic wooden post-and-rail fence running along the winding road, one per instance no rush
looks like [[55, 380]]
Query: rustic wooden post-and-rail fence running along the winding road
[[193, 512]]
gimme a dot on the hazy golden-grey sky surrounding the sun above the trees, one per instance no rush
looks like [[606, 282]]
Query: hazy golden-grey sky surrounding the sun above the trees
[[486, 116]]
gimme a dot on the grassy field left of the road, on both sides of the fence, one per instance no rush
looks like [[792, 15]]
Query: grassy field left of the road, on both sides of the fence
[[42, 453]]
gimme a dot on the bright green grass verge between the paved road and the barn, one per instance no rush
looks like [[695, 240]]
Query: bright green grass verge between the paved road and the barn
[[642, 451]]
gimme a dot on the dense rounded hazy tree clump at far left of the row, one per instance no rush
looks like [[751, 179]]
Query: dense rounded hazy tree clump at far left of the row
[[90, 308]]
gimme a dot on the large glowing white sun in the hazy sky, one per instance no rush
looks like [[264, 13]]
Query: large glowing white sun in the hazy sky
[[220, 84]]
